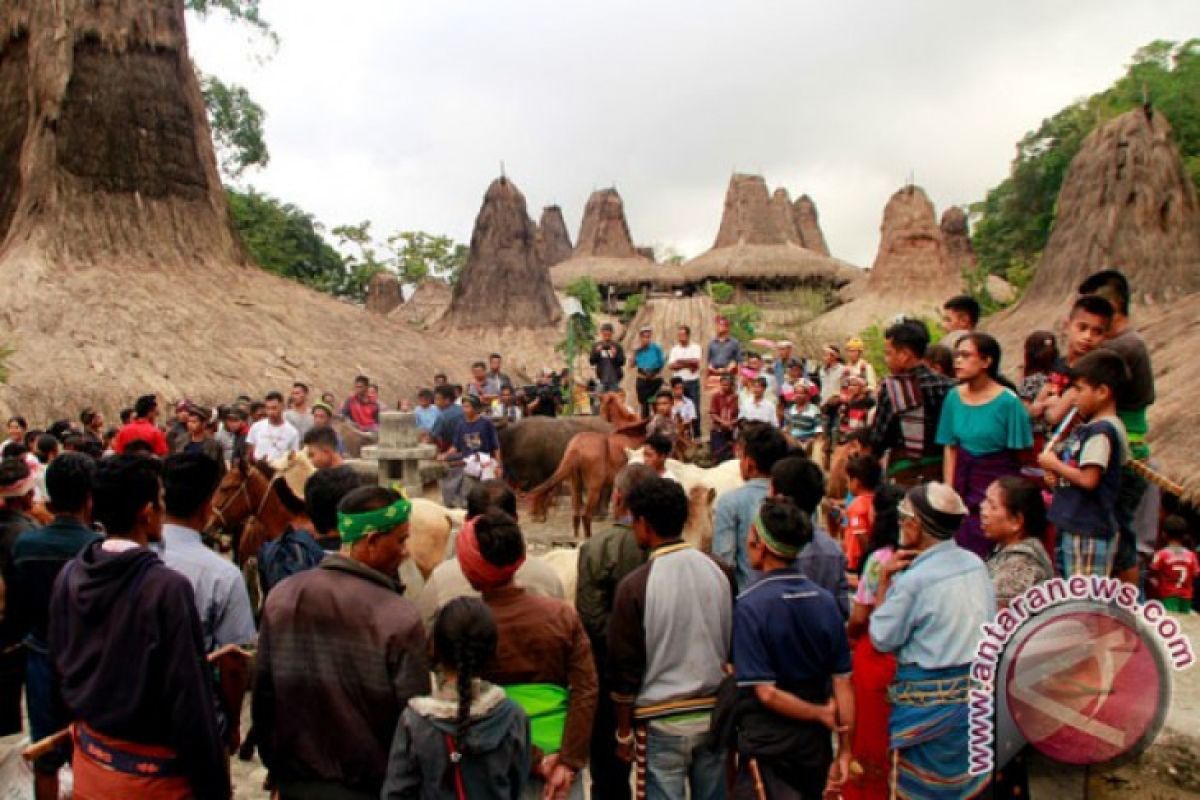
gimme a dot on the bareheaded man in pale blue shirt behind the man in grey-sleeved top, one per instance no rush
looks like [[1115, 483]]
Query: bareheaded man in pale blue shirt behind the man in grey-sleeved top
[[760, 448]]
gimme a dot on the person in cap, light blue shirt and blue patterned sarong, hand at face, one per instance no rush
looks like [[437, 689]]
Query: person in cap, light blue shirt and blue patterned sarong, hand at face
[[932, 600]]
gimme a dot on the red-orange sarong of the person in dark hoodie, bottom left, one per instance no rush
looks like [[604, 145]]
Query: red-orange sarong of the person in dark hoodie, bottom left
[[107, 768]]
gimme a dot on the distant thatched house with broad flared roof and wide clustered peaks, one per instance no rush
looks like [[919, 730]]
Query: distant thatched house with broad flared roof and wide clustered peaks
[[759, 249]]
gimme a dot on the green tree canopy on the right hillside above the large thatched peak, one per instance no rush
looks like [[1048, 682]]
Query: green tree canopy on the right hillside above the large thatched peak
[[1013, 224]]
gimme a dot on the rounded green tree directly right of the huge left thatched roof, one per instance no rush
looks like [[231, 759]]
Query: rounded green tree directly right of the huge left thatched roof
[[287, 240]]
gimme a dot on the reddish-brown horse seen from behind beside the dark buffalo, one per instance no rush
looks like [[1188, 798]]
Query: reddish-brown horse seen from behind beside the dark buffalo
[[592, 462]]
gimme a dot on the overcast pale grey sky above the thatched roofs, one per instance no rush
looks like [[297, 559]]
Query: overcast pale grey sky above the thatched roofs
[[401, 112]]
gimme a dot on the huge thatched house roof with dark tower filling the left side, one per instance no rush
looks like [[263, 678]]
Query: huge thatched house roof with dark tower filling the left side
[[123, 273]]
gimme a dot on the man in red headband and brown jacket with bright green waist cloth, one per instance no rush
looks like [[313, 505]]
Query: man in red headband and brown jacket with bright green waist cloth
[[544, 659]]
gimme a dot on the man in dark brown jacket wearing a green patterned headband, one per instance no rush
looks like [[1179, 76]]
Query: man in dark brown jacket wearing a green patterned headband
[[340, 654]]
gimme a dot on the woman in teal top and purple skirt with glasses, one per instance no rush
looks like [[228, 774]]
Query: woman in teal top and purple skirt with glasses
[[985, 428]]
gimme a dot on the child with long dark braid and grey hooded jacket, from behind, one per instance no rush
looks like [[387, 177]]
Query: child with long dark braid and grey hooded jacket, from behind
[[466, 739]]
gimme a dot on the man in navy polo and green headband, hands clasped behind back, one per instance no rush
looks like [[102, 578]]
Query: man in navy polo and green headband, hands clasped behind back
[[790, 649]]
